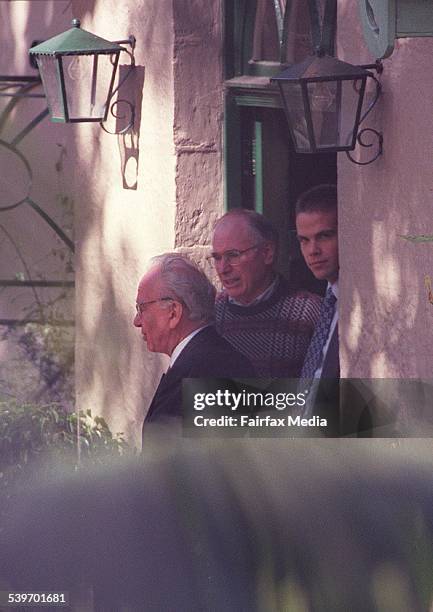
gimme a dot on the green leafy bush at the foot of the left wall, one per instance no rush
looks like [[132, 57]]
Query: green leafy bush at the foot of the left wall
[[43, 436]]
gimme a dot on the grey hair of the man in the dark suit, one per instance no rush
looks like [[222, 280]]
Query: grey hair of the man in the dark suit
[[186, 282]]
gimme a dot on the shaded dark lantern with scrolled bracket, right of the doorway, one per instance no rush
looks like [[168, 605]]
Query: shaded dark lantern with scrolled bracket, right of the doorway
[[323, 98]]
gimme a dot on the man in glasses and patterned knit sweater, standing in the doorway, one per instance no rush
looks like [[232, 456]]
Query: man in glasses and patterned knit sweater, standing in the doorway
[[256, 311]]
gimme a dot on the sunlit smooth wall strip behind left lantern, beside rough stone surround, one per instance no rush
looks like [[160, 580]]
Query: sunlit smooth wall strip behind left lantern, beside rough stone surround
[[121, 221]]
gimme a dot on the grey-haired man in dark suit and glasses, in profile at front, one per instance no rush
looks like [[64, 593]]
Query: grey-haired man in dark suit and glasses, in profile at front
[[175, 312]]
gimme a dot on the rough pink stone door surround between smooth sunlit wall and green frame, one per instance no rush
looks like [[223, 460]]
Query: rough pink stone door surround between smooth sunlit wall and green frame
[[198, 124]]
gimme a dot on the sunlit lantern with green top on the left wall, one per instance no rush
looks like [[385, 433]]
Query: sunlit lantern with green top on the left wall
[[78, 71]]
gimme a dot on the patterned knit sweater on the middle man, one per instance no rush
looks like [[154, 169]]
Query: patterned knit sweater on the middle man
[[273, 334]]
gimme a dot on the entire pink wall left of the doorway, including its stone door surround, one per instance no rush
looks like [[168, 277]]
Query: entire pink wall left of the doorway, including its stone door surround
[[156, 189]]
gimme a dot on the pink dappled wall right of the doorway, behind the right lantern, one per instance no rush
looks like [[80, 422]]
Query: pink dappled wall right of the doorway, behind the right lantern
[[386, 318]]
